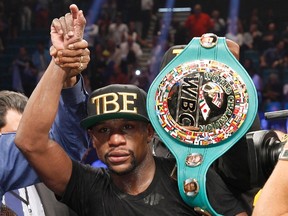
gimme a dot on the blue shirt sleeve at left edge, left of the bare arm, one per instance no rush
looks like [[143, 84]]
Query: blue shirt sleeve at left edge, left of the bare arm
[[15, 171]]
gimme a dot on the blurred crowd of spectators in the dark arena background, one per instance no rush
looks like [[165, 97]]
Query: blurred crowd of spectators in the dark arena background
[[121, 33]]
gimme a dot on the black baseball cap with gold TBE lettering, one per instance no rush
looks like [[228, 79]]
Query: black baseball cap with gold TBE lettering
[[114, 102]]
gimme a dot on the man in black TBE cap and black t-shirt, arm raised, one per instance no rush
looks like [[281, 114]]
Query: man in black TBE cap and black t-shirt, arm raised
[[135, 183]]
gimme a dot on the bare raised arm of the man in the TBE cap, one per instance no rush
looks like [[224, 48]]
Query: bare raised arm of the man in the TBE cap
[[50, 161]]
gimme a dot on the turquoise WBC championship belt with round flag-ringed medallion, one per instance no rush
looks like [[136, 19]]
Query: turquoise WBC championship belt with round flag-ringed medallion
[[200, 105]]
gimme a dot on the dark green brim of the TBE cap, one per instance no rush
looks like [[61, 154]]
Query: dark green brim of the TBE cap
[[92, 120]]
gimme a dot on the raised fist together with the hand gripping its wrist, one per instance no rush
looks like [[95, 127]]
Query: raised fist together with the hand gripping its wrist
[[68, 47]]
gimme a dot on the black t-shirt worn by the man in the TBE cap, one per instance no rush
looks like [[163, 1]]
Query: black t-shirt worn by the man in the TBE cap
[[92, 192]]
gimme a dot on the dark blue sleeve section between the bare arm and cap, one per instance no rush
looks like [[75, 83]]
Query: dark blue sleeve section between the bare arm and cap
[[66, 129]]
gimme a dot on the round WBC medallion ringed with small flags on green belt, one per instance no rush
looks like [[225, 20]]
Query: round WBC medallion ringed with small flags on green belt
[[201, 102]]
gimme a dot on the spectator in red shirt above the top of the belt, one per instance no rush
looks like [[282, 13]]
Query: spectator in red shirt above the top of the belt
[[198, 22]]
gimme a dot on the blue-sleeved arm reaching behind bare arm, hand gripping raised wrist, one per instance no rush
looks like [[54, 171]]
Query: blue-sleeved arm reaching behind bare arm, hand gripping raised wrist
[[73, 98]]
